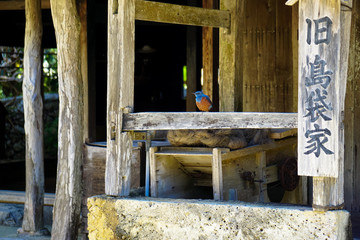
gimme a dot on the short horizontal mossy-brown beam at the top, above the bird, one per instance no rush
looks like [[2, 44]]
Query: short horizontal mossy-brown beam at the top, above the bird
[[178, 14]]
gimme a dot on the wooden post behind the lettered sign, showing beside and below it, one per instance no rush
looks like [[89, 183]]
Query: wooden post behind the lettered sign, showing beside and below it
[[328, 192]]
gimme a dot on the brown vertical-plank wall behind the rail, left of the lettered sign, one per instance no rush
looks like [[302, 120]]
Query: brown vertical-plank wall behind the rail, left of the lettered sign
[[267, 56]]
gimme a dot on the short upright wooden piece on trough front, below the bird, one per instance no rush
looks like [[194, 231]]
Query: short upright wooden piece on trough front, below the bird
[[217, 175]]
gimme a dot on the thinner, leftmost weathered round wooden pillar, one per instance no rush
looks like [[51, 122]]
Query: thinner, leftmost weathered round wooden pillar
[[33, 221]]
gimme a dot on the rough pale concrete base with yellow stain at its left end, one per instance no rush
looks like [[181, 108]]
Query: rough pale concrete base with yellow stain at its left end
[[150, 218]]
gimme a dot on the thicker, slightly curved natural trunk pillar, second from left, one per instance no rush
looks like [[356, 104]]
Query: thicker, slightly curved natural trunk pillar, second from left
[[67, 204]]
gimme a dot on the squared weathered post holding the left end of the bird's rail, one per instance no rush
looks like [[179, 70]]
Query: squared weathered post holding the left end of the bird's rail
[[120, 96]]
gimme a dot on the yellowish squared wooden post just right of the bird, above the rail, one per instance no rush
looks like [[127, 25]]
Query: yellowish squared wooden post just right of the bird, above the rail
[[230, 61]]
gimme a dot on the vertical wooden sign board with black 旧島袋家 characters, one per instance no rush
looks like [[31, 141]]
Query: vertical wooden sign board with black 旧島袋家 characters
[[320, 144]]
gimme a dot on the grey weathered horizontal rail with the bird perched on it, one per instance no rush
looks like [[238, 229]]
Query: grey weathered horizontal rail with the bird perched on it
[[202, 120]]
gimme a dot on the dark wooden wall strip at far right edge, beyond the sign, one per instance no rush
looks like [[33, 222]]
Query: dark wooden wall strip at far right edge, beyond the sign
[[352, 118]]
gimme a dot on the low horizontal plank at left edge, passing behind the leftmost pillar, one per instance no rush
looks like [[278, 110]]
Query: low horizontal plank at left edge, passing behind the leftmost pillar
[[18, 197]]
